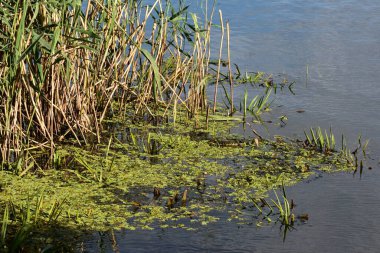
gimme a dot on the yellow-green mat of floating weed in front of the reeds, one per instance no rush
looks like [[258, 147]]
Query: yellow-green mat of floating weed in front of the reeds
[[172, 176]]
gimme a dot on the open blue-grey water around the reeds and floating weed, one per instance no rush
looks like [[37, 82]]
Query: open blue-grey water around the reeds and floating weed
[[339, 42]]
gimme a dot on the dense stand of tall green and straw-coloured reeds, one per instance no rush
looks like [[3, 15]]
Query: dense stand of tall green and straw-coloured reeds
[[64, 65]]
